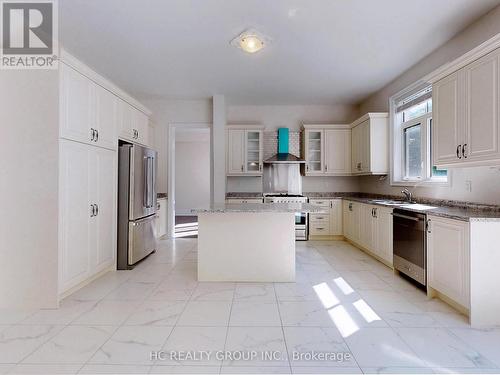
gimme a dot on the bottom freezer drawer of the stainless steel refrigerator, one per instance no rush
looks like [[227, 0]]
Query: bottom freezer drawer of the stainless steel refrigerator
[[142, 239]]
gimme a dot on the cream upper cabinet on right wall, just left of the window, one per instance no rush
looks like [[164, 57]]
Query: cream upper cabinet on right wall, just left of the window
[[370, 146]]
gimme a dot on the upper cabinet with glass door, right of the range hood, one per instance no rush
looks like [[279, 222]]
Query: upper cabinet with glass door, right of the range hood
[[327, 150]]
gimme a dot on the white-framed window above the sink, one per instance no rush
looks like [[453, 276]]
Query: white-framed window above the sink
[[412, 147]]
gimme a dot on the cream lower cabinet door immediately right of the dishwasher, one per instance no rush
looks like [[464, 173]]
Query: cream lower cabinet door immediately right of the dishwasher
[[448, 259]]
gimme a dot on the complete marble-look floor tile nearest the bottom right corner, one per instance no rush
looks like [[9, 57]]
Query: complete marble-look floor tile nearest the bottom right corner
[[437, 347]]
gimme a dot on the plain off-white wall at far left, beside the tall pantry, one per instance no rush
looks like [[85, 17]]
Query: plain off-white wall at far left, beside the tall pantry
[[29, 188]]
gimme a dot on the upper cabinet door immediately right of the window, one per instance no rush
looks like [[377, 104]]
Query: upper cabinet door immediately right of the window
[[447, 120]]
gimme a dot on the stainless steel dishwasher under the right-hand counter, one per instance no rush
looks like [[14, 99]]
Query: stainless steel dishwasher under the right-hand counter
[[410, 244]]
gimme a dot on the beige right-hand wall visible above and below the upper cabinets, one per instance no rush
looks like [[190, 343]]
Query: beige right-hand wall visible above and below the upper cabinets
[[485, 181]]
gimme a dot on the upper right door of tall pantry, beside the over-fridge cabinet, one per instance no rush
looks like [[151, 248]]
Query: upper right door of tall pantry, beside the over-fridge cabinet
[[106, 118]]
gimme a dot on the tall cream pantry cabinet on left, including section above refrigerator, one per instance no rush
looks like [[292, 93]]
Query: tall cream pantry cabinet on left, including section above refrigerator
[[92, 116]]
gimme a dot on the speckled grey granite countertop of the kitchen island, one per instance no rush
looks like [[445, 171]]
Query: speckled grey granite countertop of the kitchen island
[[260, 207]]
